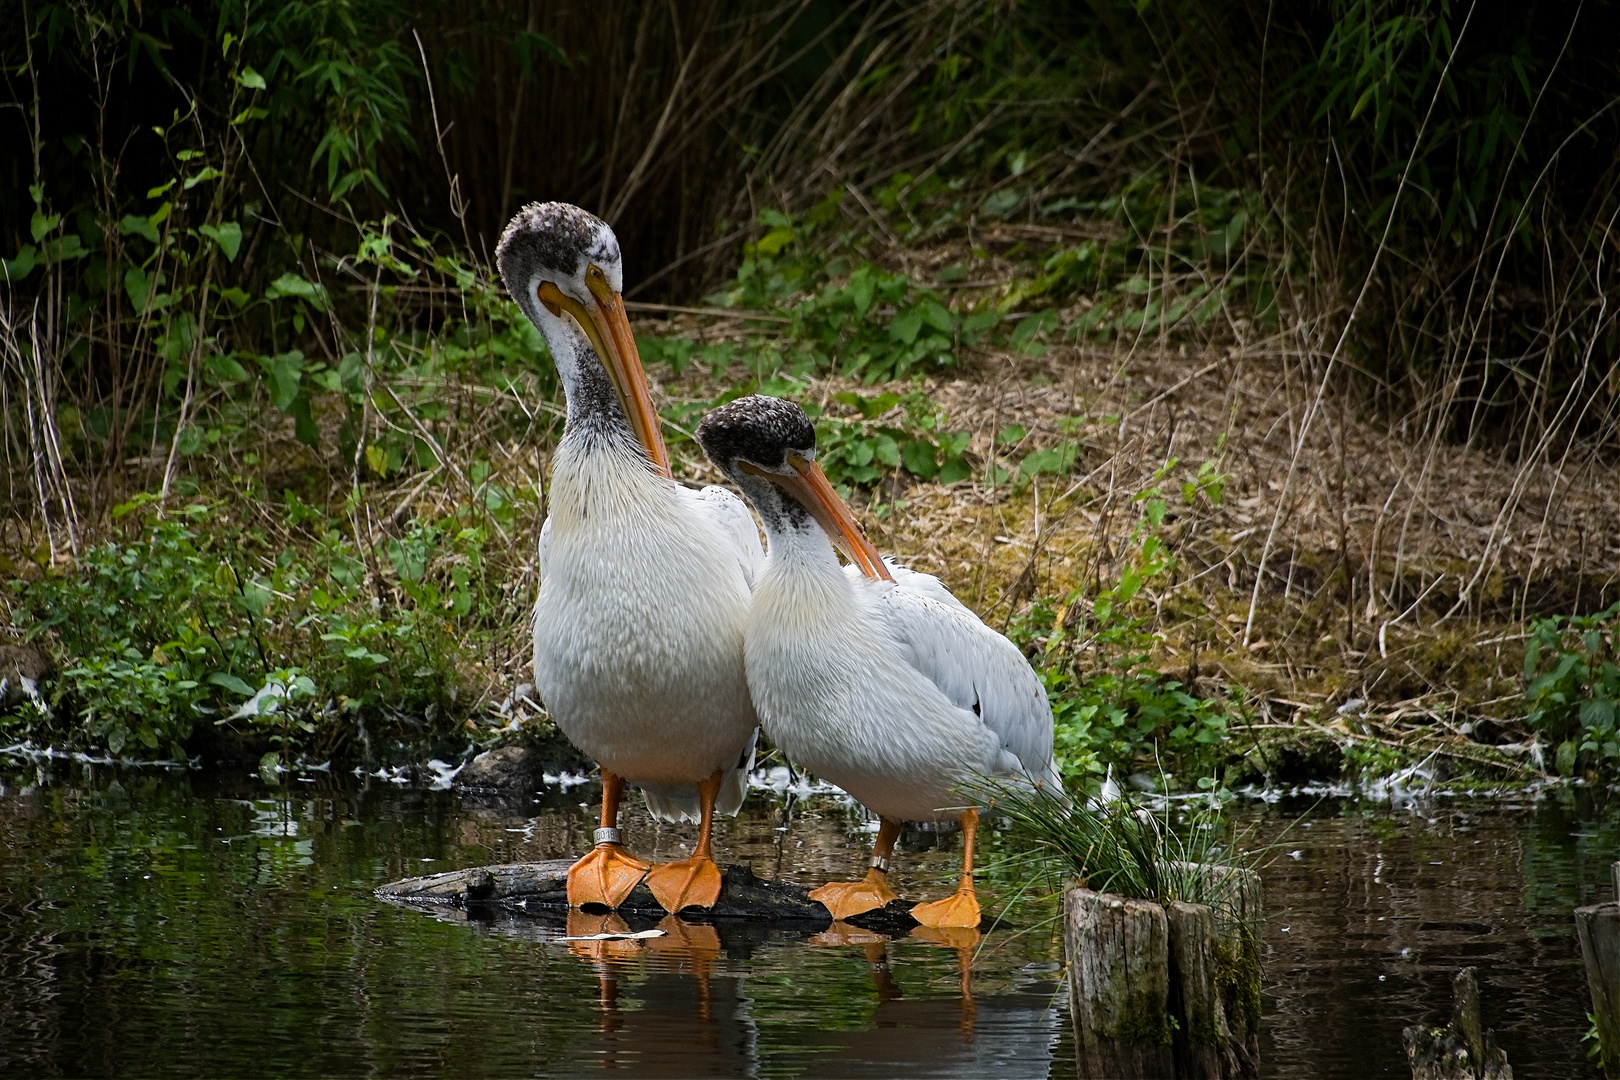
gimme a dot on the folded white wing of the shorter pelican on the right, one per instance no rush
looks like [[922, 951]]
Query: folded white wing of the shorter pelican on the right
[[973, 665]]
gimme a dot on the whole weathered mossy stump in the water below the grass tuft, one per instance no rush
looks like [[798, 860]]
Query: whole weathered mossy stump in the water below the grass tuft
[[1166, 990]]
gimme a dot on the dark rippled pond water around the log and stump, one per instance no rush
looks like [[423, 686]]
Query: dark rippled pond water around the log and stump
[[187, 924]]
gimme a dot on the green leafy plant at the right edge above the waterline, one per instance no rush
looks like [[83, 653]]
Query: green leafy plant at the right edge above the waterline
[[1572, 689]]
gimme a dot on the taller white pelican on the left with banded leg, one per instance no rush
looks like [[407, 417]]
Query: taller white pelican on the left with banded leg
[[644, 582]]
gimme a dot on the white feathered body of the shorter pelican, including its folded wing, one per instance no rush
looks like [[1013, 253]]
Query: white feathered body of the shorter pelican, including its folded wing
[[892, 691]]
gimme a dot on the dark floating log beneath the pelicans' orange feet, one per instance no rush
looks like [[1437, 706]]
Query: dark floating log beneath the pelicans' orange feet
[[542, 888]]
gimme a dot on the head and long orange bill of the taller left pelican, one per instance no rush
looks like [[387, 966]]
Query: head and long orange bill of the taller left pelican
[[563, 268]]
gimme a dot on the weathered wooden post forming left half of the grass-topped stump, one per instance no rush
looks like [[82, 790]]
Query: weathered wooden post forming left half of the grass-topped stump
[[1120, 987]]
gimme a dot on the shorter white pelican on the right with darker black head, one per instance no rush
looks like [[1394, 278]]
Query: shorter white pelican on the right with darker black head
[[872, 676]]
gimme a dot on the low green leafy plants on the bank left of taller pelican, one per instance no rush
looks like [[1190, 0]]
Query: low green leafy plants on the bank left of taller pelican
[[198, 621]]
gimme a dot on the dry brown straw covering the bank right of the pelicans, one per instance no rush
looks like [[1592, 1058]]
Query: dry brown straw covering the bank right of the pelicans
[[1399, 571]]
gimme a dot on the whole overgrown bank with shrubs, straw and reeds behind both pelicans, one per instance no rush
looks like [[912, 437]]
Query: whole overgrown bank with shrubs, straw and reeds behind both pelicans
[[1258, 378]]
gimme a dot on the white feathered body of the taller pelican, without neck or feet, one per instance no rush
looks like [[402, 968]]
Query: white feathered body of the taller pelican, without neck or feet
[[639, 655]]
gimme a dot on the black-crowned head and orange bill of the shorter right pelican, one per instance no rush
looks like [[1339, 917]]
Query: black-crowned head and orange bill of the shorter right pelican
[[767, 448]]
